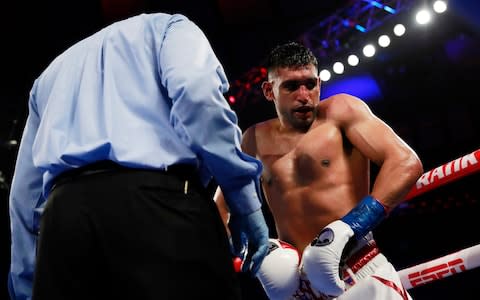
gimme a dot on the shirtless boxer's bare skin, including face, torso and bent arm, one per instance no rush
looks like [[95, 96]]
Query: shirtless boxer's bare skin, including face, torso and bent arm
[[316, 156]]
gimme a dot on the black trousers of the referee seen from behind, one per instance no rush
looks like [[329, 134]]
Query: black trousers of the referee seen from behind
[[132, 234]]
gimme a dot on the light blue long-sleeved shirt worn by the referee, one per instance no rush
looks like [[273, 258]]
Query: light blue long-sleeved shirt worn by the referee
[[145, 92]]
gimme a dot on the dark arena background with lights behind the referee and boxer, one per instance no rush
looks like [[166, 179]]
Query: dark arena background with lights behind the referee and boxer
[[424, 84]]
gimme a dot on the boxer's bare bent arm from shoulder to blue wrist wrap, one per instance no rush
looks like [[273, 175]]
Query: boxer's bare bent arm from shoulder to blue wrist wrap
[[399, 165]]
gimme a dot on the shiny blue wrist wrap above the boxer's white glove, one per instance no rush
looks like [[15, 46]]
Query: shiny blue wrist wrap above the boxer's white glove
[[365, 216]]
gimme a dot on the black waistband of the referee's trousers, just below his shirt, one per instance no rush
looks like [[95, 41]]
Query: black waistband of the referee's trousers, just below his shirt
[[181, 177]]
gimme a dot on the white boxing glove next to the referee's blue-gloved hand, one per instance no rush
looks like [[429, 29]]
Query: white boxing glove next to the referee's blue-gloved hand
[[278, 273]]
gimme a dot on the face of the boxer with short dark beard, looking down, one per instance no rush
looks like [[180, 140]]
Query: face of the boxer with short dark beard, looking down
[[296, 93]]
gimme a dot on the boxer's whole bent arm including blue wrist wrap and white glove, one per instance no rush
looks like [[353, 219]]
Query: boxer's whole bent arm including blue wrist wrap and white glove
[[399, 169]]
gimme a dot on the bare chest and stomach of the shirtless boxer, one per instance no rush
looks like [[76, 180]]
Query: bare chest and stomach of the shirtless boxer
[[309, 180]]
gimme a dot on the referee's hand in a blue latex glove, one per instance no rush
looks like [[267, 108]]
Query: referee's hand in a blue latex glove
[[249, 232]]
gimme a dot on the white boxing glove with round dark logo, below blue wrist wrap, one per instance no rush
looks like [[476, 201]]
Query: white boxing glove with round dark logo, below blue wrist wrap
[[321, 259]]
